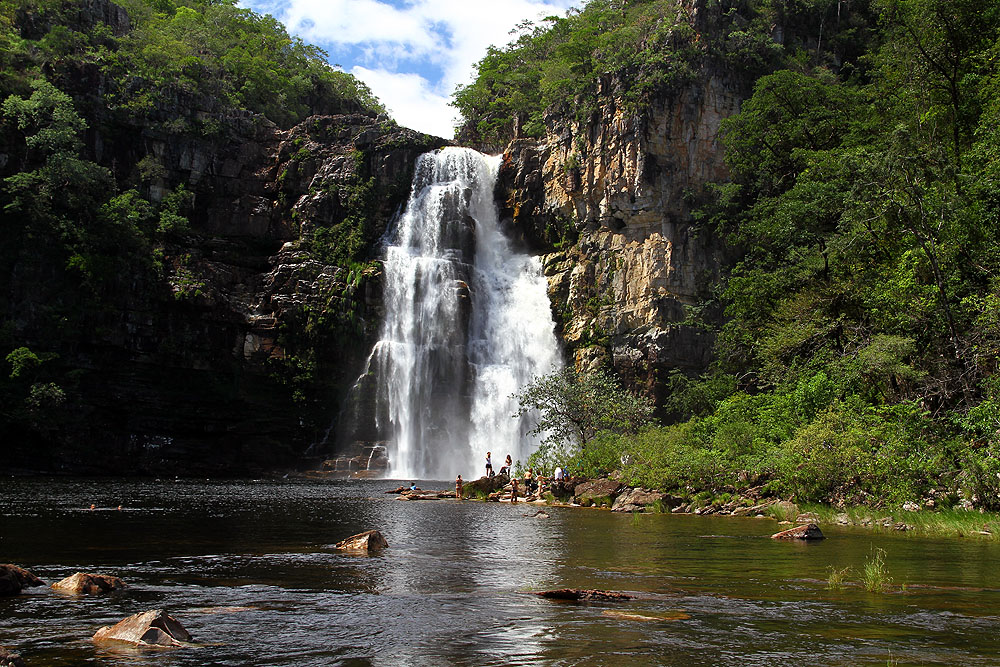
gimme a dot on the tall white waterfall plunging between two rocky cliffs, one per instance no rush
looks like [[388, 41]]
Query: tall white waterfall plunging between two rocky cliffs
[[467, 324]]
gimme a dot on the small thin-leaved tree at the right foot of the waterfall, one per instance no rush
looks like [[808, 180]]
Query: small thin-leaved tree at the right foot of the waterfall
[[574, 406]]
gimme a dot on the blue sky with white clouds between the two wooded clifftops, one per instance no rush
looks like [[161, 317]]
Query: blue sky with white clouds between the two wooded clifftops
[[411, 53]]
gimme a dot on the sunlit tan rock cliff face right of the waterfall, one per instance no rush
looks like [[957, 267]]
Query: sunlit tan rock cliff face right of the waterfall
[[609, 200]]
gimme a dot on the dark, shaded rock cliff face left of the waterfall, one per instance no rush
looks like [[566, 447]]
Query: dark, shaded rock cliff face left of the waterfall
[[225, 353]]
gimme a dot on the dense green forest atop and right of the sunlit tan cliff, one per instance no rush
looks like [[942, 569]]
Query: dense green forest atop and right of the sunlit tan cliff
[[857, 359]]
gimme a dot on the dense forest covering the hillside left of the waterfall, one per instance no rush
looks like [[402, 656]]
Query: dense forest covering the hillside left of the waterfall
[[125, 129]]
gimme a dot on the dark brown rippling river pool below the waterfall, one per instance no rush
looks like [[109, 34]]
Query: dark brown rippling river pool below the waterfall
[[249, 569]]
